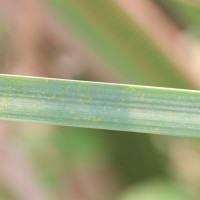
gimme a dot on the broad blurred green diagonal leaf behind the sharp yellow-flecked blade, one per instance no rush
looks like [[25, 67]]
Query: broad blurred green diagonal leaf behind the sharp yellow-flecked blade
[[120, 42]]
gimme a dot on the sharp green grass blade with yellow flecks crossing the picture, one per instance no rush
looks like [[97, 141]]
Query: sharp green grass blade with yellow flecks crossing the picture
[[100, 105]]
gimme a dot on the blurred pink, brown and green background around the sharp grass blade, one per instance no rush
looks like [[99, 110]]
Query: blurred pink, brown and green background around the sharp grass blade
[[146, 42]]
